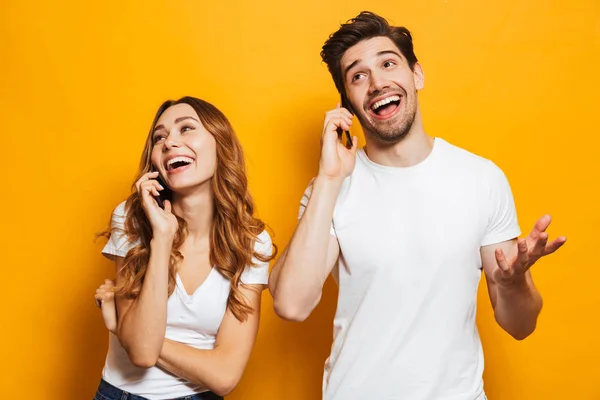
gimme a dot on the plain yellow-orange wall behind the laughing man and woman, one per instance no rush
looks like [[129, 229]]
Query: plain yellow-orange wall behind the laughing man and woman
[[514, 81]]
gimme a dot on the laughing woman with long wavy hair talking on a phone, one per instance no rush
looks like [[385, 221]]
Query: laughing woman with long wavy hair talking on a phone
[[189, 275]]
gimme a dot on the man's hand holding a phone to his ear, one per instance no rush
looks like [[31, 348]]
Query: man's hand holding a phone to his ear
[[337, 161]]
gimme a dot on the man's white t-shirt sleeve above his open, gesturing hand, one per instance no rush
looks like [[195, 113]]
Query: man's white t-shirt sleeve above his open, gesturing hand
[[502, 215]]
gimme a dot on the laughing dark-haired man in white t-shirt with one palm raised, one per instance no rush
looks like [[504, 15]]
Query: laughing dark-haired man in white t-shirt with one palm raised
[[406, 225]]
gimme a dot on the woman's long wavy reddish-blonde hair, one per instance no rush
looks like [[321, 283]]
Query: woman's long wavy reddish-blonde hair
[[234, 230]]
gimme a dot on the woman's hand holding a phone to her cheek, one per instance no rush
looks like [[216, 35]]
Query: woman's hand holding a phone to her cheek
[[163, 221]]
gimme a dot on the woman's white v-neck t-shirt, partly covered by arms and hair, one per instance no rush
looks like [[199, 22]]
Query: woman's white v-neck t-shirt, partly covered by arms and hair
[[191, 319]]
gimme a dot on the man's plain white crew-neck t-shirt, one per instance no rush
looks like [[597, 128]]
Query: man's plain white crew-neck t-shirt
[[408, 275]]
